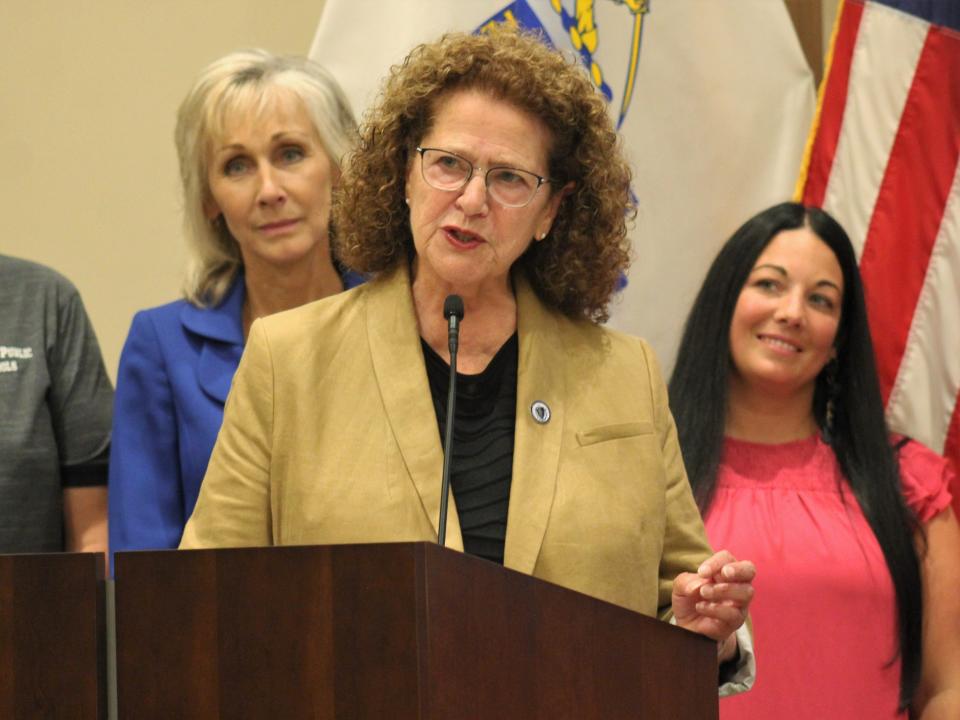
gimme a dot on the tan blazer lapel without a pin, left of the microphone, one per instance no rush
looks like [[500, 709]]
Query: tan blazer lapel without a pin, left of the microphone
[[394, 340]]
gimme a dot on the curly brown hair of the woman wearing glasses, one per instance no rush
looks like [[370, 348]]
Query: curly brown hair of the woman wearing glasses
[[578, 267]]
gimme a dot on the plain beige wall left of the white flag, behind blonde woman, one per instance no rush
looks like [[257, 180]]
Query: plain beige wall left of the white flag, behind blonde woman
[[88, 93]]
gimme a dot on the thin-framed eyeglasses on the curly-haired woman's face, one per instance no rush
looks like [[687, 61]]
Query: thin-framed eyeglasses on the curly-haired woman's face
[[511, 187]]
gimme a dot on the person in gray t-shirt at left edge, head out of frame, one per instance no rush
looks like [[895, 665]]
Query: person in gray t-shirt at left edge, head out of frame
[[55, 413]]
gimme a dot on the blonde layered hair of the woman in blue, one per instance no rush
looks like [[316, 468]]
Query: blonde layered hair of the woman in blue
[[247, 83]]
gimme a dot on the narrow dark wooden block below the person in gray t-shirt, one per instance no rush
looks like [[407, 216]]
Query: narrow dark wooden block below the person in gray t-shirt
[[52, 641]]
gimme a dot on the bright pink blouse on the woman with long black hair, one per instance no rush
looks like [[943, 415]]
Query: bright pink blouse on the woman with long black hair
[[824, 611]]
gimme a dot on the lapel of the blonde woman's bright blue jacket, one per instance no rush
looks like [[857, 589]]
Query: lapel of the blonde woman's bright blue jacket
[[221, 333]]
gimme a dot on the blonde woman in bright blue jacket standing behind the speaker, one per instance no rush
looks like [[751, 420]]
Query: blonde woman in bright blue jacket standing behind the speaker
[[259, 139]]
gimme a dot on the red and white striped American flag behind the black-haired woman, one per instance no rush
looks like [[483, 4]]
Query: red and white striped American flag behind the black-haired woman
[[883, 161]]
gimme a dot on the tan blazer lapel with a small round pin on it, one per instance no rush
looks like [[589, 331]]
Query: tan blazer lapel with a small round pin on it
[[536, 452]]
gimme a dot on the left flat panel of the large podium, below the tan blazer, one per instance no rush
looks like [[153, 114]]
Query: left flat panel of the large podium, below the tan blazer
[[286, 632]]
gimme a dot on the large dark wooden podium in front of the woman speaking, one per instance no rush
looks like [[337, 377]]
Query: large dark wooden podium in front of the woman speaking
[[407, 630]]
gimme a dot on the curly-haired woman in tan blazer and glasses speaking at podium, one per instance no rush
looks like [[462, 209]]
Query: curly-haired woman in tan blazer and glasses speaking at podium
[[489, 169]]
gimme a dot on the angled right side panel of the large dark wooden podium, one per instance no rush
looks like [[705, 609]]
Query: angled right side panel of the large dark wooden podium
[[513, 646]]
